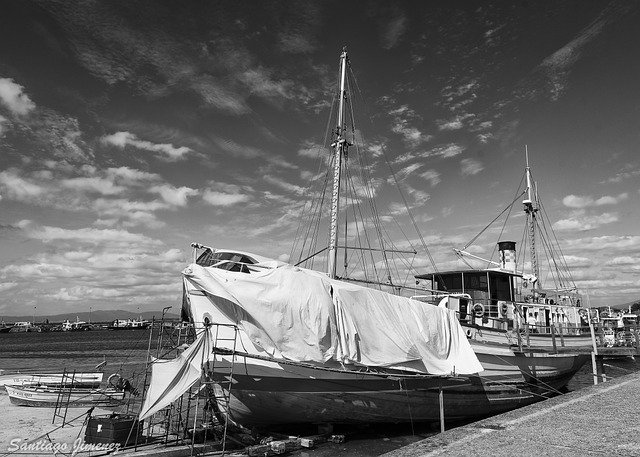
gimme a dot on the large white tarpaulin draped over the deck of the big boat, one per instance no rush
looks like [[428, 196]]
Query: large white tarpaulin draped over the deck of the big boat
[[302, 315]]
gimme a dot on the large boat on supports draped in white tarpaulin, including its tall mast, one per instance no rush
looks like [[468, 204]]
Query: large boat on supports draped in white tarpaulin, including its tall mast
[[281, 343]]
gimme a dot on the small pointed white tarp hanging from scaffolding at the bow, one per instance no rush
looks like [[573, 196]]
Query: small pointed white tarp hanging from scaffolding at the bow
[[172, 378]]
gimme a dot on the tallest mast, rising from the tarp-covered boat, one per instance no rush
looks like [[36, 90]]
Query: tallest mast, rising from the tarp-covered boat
[[340, 148]]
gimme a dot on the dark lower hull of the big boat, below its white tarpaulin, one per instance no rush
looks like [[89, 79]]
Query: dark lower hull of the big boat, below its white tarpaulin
[[267, 394]]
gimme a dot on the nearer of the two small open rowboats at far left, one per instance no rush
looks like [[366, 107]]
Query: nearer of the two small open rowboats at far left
[[48, 398]]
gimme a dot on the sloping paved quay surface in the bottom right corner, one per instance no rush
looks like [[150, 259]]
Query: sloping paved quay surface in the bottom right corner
[[602, 420]]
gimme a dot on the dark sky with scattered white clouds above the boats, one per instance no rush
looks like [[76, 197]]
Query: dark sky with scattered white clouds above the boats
[[129, 129]]
